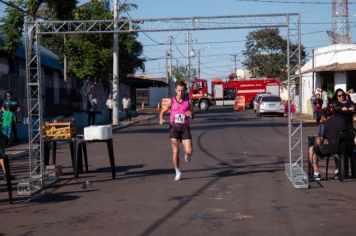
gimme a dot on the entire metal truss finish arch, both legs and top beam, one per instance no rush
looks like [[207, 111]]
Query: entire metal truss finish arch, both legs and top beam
[[39, 179]]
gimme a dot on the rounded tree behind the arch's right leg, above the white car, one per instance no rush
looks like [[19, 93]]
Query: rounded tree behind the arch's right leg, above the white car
[[266, 54]]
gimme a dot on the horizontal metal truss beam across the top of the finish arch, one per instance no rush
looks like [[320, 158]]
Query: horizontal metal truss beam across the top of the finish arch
[[166, 24]]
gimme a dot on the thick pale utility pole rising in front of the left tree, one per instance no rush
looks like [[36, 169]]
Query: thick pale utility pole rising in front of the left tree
[[115, 84]]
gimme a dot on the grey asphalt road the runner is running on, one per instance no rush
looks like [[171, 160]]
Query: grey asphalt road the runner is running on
[[234, 185]]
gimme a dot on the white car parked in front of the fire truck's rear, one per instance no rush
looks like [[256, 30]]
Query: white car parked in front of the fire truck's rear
[[270, 104]]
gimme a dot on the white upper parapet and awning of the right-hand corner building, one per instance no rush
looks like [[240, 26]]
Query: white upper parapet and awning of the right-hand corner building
[[337, 57]]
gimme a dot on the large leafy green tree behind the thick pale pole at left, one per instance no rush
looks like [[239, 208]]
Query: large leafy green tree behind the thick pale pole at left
[[130, 48]]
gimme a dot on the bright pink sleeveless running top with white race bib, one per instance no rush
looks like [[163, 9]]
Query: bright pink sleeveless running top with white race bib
[[178, 111]]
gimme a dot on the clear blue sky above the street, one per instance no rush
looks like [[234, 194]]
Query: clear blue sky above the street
[[217, 46]]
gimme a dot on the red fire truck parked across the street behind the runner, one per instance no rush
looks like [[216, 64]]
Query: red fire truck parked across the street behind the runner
[[224, 93]]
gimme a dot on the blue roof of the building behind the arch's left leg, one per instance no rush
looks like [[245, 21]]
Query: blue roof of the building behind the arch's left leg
[[48, 58]]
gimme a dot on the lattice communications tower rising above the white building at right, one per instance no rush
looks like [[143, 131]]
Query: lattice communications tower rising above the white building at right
[[340, 22]]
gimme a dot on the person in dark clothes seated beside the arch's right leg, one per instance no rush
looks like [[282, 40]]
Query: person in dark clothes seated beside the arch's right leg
[[328, 129]]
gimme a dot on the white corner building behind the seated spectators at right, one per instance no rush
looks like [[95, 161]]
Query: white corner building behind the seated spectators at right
[[330, 68]]
